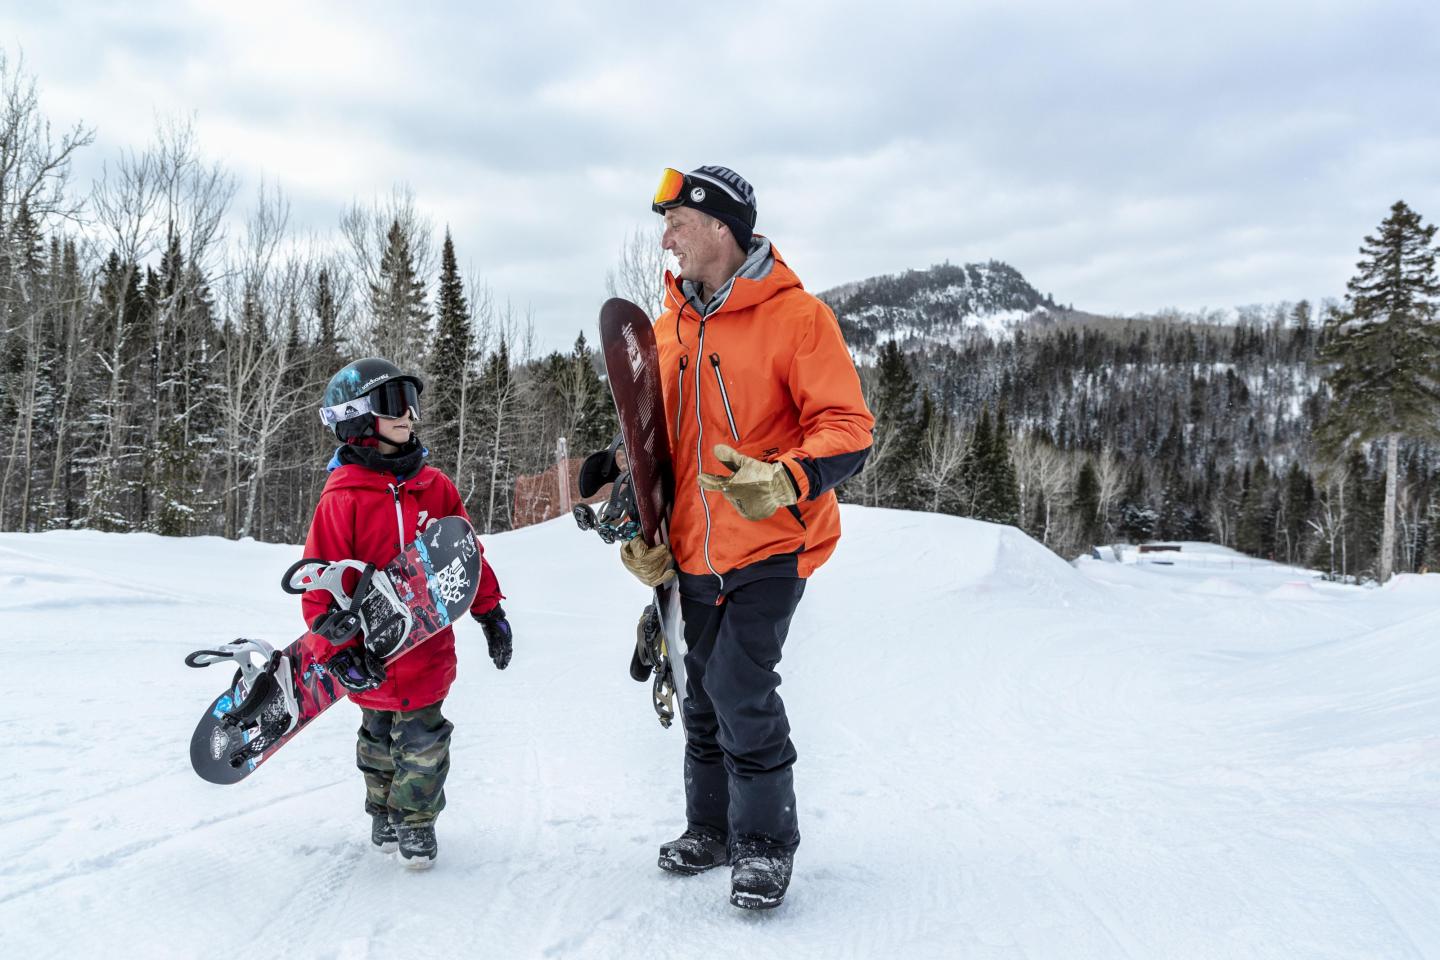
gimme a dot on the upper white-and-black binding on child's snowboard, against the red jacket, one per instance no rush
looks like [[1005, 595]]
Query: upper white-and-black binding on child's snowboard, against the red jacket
[[375, 612]]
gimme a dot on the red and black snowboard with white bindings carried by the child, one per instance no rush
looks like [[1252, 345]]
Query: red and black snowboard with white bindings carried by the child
[[394, 610]]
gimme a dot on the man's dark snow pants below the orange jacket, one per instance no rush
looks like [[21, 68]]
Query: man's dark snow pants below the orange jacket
[[738, 741]]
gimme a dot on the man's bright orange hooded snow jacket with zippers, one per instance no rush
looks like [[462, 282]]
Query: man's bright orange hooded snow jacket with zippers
[[768, 373]]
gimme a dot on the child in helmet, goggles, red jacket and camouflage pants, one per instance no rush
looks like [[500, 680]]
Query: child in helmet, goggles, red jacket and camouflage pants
[[379, 497]]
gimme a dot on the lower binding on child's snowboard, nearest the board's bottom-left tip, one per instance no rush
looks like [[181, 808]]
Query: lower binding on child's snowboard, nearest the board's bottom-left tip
[[261, 707]]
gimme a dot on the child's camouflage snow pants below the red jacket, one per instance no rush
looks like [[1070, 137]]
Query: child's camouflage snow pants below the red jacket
[[404, 756]]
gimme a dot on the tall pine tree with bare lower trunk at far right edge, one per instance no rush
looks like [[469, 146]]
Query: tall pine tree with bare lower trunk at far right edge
[[1385, 353]]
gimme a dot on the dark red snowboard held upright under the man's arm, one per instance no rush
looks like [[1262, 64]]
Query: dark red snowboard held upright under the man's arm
[[642, 493]]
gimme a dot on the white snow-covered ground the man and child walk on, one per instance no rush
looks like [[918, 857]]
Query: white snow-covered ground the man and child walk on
[[1002, 756]]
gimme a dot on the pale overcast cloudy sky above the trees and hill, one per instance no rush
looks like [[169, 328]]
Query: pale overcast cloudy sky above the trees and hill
[[1124, 156]]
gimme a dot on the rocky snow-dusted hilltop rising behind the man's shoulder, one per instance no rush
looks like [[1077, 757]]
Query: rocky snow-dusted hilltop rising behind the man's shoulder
[[935, 306]]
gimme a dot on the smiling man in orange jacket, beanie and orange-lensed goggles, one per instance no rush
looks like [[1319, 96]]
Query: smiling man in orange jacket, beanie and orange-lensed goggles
[[765, 418]]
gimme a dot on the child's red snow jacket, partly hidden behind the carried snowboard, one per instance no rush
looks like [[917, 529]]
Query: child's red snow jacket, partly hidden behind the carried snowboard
[[369, 516]]
